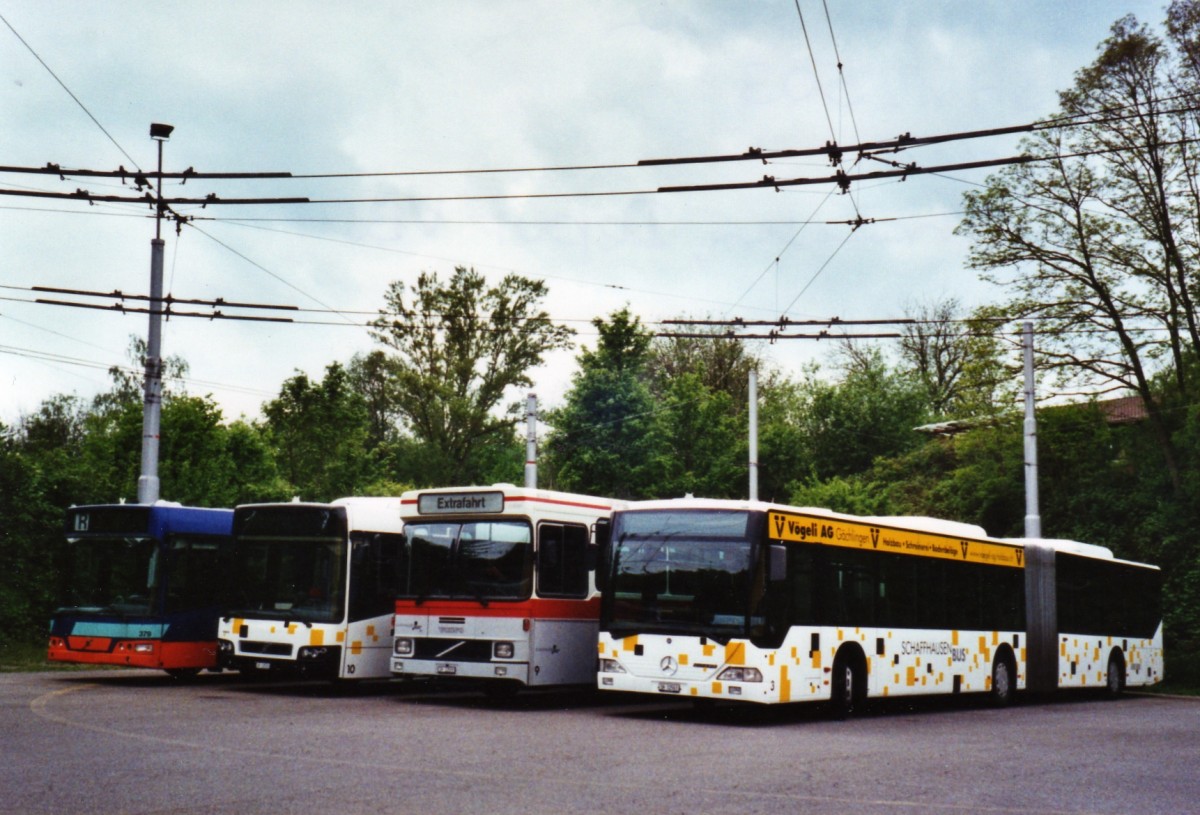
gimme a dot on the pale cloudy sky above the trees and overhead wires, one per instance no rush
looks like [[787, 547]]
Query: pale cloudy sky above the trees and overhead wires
[[340, 88]]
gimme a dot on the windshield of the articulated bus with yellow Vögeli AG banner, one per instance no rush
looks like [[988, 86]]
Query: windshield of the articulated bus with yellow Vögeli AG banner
[[681, 572]]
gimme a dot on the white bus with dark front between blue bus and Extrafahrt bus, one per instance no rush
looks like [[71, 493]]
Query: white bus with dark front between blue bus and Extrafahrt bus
[[314, 589]]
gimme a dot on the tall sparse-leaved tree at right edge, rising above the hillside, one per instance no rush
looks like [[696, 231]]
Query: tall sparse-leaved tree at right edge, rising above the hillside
[[1099, 238]]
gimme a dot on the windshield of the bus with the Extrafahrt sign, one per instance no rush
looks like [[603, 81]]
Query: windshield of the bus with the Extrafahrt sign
[[473, 560]]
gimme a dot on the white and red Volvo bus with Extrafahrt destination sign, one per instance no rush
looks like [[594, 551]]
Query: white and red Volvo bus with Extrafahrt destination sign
[[497, 585]]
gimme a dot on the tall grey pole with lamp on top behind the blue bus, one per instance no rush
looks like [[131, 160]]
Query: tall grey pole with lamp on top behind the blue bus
[[152, 412]]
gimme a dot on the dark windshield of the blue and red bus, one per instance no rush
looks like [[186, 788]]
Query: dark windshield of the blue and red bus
[[117, 576]]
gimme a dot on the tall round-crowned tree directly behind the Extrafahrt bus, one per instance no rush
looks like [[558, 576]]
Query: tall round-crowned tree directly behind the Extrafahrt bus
[[458, 350]]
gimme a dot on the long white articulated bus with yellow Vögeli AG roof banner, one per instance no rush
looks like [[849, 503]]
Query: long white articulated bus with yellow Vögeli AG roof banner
[[763, 603]]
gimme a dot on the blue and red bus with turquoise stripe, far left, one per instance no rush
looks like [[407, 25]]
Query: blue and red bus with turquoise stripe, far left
[[141, 586]]
